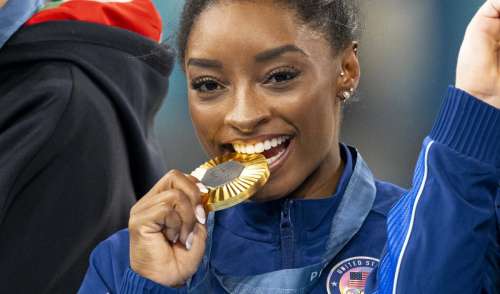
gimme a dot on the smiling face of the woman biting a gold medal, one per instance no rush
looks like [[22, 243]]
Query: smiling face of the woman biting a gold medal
[[259, 81]]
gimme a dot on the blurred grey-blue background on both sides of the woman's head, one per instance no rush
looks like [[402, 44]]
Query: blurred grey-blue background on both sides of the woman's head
[[408, 54]]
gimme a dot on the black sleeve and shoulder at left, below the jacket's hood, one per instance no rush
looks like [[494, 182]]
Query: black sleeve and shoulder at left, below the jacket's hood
[[61, 185]]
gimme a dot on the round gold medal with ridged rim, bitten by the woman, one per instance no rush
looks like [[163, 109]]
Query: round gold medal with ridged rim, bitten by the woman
[[231, 179]]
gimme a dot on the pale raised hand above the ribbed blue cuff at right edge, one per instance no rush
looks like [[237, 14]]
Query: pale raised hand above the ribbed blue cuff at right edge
[[478, 68]]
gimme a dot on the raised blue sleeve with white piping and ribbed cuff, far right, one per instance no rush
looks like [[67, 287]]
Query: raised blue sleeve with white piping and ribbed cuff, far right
[[443, 234]]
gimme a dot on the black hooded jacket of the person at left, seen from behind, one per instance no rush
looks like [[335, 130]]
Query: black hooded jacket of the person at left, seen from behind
[[77, 106]]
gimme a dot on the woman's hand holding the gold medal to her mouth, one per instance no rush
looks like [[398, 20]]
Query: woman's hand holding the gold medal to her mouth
[[167, 231]]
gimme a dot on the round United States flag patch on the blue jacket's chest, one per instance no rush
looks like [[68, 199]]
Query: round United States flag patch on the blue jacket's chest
[[349, 276]]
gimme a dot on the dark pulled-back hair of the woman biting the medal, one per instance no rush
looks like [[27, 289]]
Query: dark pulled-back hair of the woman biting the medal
[[337, 20]]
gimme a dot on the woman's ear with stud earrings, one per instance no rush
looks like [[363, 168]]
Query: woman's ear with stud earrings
[[348, 77]]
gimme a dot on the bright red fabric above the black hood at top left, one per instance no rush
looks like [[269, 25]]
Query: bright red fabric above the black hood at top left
[[139, 16]]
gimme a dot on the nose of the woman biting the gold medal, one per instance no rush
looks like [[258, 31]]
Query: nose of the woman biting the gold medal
[[247, 113]]
